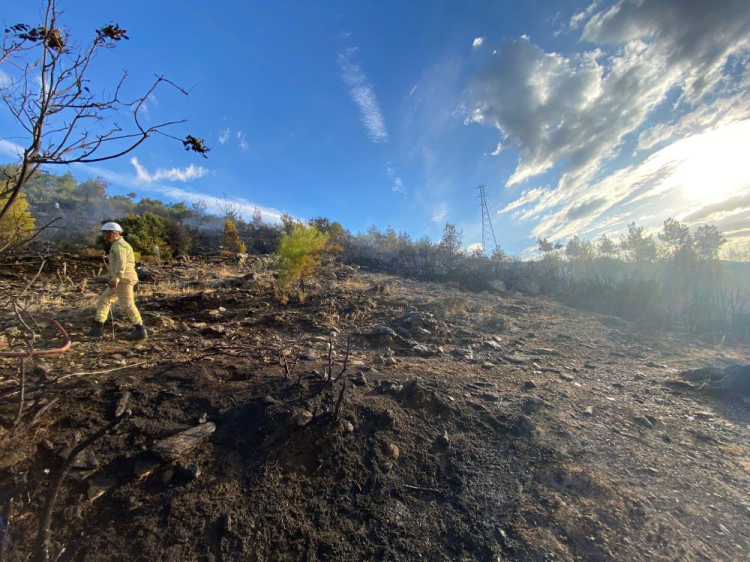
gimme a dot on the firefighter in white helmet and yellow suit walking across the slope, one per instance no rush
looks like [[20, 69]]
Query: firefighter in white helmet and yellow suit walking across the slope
[[122, 280]]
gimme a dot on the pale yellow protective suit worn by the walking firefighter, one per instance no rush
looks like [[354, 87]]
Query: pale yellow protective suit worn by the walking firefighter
[[122, 270]]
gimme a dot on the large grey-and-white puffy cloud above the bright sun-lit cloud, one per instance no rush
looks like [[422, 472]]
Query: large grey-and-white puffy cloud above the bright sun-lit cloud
[[577, 110]]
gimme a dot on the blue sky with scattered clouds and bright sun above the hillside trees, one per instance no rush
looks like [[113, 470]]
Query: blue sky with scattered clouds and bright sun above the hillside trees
[[578, 117]]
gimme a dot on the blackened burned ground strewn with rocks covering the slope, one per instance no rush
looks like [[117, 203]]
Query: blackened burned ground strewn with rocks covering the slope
[[473, 426]]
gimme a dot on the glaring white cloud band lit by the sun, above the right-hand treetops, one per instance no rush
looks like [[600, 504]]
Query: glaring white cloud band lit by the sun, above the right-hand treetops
[[697, 179]]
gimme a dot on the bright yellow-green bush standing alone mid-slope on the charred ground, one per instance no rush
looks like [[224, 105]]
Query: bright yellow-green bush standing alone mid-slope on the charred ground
[[299, 256]]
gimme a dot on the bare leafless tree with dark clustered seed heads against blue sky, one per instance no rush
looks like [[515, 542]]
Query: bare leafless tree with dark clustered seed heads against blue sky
[[61, 120]]
